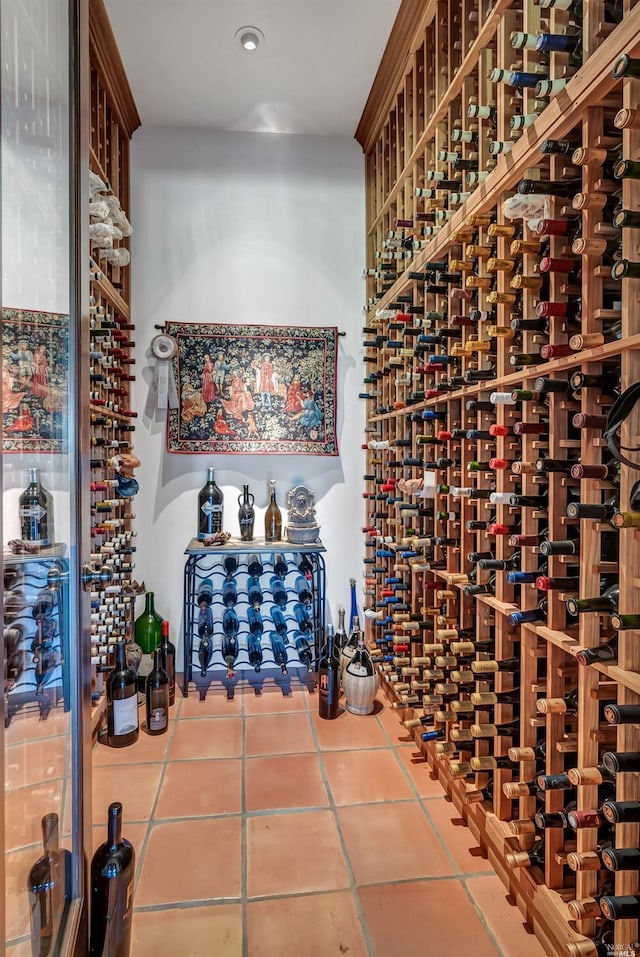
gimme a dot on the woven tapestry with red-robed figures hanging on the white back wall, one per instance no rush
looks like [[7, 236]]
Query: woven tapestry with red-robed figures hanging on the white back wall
[[249, 389]]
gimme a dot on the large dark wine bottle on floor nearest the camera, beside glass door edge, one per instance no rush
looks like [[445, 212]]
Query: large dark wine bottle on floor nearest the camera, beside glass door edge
[[112, 875]]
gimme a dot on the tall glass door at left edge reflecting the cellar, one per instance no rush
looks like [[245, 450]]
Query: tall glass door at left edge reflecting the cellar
[[45, 728]]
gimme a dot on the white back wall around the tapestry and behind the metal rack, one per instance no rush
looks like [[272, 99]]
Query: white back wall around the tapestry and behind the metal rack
[[247, 228]]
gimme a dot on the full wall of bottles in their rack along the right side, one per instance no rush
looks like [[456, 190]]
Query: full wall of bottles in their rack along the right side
[[500, 498]]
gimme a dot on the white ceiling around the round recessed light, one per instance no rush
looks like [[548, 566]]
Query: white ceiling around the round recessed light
[[312, 75]]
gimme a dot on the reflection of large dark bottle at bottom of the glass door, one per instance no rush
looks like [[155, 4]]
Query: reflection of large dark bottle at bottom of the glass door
[[46, 886]]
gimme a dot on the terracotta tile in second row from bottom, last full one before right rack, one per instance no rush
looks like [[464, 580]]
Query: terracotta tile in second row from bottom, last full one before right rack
[[409, 848]]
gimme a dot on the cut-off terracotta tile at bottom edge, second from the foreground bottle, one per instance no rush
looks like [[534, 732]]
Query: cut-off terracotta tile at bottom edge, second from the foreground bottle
[[321, 925]]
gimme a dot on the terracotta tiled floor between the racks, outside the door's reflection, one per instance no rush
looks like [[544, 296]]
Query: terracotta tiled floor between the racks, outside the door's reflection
[[262, 831]]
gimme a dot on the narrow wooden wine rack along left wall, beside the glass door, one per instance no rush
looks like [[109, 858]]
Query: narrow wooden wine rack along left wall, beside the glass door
[[113, 120]]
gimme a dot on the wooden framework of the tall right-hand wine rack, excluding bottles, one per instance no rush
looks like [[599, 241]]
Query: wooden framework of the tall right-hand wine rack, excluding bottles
[[437, 64]]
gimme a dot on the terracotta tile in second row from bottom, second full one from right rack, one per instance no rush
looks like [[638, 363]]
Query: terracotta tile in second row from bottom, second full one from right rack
[[288, 853]]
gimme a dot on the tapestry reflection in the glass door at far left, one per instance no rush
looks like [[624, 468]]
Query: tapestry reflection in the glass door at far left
[[35, 381]]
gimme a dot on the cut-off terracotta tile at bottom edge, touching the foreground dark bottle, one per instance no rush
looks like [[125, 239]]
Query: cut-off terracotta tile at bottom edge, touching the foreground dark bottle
[[192, 931]]
